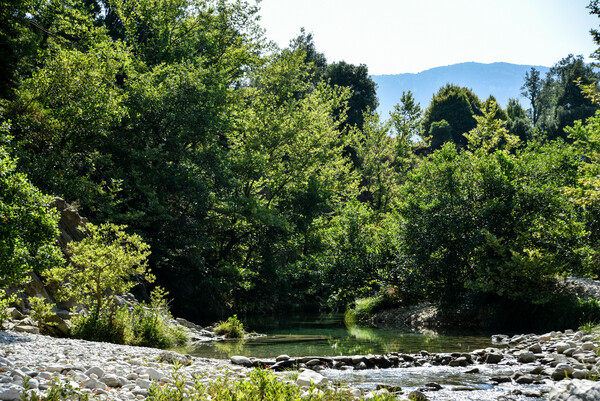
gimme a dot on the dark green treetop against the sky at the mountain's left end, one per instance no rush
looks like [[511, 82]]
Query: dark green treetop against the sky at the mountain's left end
[[363, 97]]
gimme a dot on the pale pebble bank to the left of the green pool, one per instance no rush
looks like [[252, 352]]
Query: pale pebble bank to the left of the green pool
[[110, 371]]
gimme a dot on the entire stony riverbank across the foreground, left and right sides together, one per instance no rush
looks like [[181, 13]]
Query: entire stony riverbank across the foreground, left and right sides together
[[560, 362]]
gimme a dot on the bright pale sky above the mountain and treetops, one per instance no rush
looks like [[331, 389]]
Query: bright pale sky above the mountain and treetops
[[400, 36]]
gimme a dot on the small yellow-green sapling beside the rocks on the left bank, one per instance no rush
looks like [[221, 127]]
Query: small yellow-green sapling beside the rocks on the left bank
[[106, 263]]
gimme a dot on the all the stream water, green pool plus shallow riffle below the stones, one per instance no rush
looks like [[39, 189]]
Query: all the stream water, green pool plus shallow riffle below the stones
[[328, 336]]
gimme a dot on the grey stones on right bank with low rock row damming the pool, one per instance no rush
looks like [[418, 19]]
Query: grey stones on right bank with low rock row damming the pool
[[560, 363]]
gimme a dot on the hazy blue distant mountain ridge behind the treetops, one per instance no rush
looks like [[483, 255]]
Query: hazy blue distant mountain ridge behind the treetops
[[502, 80]]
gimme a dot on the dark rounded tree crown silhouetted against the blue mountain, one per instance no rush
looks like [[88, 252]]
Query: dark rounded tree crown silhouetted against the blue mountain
[[457, 106]]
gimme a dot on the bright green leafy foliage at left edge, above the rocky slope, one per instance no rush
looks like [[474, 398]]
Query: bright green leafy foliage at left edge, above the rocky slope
[[29, 225]]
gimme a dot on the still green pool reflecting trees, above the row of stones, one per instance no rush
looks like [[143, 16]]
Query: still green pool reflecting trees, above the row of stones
[[328, 336]]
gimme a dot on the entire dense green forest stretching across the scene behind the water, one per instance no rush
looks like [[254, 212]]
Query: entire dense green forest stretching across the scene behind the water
[[262, 179]]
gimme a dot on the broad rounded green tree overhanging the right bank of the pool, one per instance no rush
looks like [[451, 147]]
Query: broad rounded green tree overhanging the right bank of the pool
[[496, 223]]
